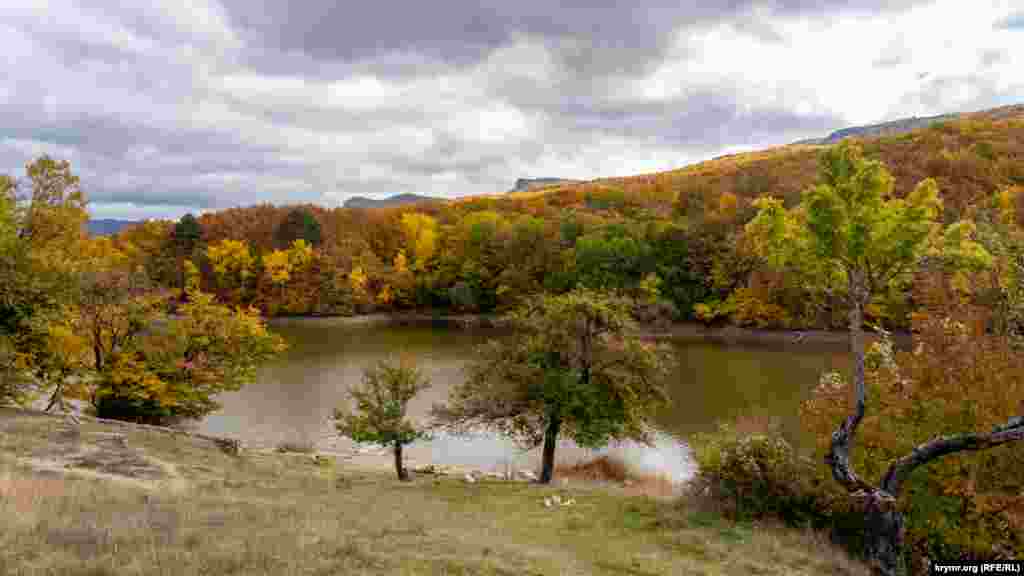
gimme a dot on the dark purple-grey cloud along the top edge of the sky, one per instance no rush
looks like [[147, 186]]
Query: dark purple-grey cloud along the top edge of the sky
[[590, 38]]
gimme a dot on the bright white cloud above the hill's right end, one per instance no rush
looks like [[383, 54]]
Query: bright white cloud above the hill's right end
[[831, 66]]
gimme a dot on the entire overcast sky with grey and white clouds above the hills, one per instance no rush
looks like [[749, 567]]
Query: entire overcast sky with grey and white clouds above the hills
[[198, 105]]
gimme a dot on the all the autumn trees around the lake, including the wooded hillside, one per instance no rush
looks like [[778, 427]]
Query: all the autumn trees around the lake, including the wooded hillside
[[921, 233]]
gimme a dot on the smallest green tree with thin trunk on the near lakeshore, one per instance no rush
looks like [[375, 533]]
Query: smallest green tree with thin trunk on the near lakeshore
[[381, 401]]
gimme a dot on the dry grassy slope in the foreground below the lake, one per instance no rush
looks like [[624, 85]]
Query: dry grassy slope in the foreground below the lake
[[280, 514]]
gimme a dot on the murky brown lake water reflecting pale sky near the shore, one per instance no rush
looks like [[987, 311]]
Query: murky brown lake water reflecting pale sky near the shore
[[293, 399]]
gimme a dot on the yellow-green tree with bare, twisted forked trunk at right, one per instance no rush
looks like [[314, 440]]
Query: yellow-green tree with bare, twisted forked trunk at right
[[851, 236]]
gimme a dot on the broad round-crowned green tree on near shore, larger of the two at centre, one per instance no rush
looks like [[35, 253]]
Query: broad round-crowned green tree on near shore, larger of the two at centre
[[575, 366]]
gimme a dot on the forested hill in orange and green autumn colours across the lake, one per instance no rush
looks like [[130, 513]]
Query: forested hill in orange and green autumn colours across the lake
[[673, 240]]
